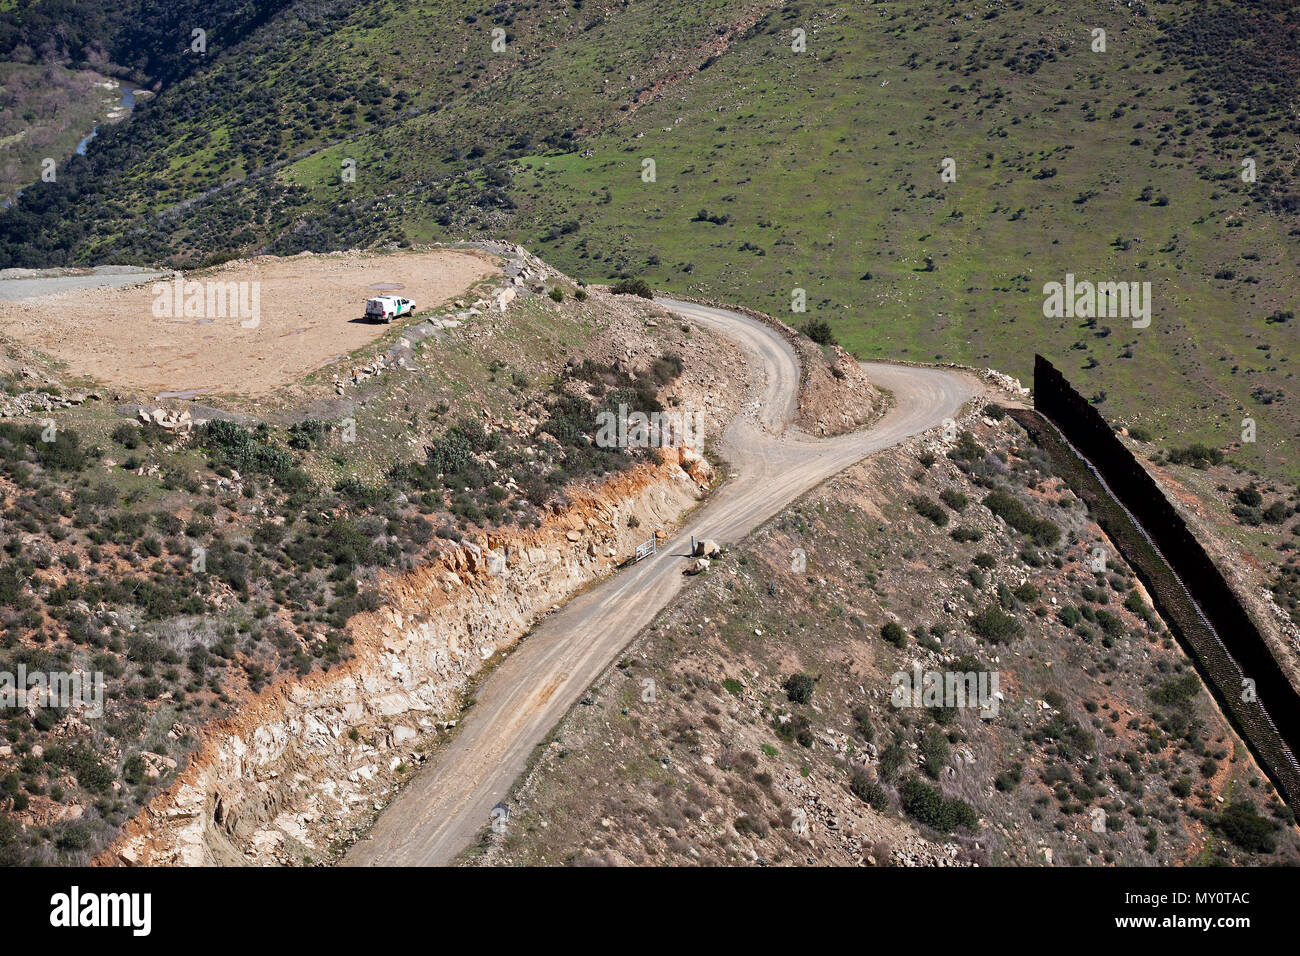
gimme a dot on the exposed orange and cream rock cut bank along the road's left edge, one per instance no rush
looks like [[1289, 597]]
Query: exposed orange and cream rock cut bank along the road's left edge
[[301, 771]]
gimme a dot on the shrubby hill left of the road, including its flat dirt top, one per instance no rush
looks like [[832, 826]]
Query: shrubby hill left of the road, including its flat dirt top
[[203, 555]]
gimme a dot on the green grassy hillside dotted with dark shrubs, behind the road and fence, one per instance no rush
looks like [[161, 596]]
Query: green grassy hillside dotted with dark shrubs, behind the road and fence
[[774, 170]]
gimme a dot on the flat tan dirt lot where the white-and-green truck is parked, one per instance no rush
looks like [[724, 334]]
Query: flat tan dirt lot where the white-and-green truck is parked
[[310, 315]]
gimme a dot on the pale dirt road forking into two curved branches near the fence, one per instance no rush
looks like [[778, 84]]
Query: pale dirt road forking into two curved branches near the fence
[[449, 803]]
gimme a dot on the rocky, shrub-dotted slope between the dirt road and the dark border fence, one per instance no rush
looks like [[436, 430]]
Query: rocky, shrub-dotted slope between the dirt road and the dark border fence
[[769, 719]]
